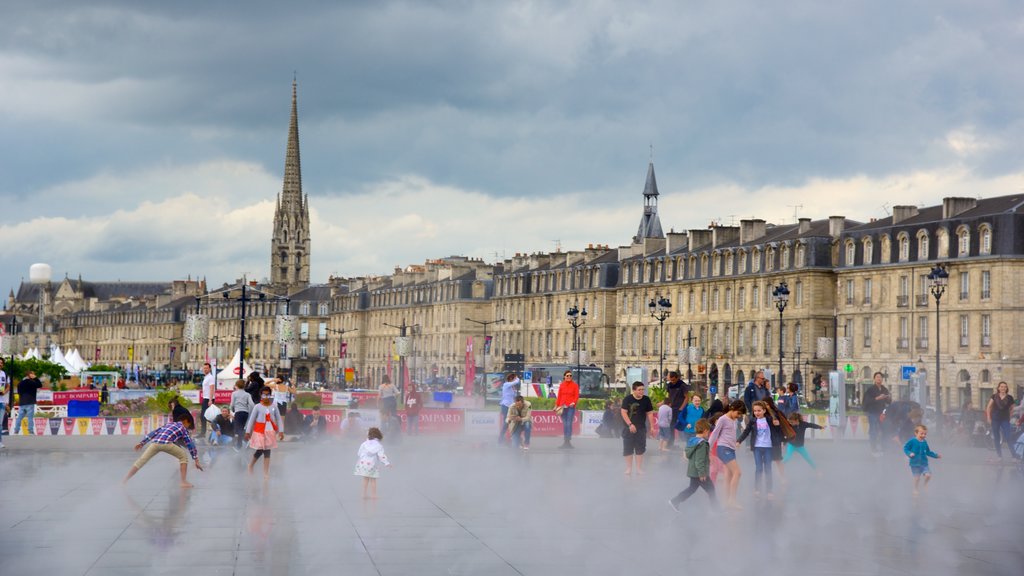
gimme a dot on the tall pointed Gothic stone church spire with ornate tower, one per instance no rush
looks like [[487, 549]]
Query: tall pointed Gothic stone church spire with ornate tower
[[290, 244]]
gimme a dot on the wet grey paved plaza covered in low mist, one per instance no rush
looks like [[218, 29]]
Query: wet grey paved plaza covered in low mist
[[462, 506]]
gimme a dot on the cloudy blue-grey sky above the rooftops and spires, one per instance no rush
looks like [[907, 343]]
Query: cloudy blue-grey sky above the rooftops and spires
[[147, 141]]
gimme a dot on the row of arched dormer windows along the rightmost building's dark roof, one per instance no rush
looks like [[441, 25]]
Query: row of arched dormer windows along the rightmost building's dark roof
[[923, 245]]
